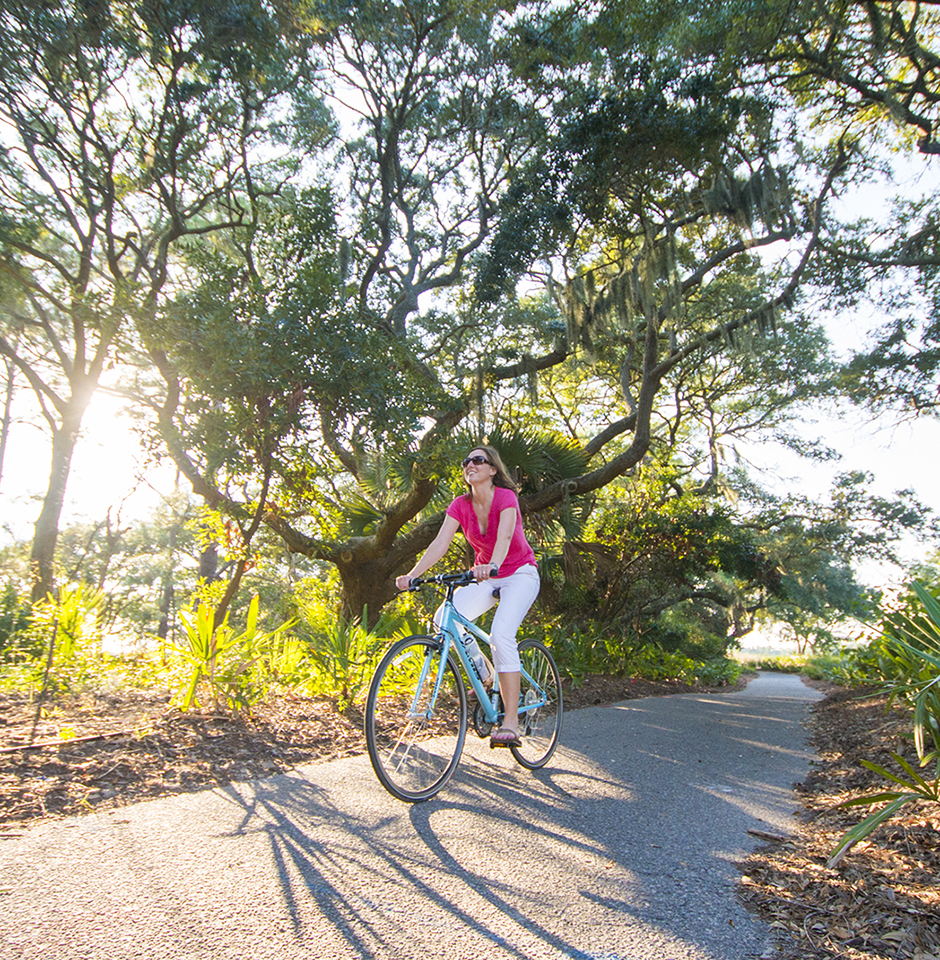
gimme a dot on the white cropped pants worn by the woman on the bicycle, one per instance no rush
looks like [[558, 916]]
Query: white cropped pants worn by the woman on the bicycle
[[517, 593]]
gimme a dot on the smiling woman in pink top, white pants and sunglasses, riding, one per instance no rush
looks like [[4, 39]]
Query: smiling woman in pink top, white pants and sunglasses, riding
[[491, 520]]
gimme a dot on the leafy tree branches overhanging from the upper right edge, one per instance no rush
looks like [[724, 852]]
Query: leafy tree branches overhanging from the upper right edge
[[864, 78]]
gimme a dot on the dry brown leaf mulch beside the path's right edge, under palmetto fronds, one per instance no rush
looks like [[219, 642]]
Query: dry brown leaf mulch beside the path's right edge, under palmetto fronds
[[883, 899]]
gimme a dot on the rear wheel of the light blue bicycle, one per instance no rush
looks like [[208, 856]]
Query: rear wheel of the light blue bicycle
[[540, 726]]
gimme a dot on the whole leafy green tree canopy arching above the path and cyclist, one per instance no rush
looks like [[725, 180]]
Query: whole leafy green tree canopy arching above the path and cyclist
[[338, 244]]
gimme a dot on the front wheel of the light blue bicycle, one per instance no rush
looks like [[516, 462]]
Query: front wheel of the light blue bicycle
[[416, 719]]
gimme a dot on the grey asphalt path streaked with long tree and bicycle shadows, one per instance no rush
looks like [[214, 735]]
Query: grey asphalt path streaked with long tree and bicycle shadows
[[623, 849]]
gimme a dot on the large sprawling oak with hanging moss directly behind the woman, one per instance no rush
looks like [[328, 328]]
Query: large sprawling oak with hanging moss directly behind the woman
[[634, 190]]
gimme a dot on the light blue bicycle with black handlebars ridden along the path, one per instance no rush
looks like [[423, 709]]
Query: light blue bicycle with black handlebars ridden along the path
[[416, 713]]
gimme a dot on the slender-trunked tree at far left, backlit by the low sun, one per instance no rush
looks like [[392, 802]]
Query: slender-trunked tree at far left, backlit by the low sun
[[128, 129]]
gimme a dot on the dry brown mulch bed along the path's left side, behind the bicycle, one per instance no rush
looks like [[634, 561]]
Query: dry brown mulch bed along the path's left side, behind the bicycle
[[96, 752]]
